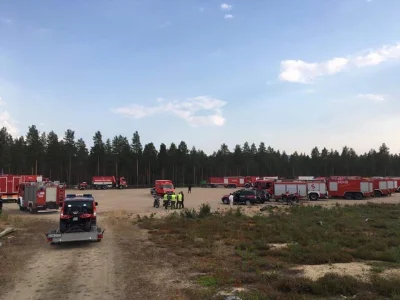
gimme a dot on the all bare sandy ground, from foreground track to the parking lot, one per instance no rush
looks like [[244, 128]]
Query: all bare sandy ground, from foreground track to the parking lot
[[123, 266]]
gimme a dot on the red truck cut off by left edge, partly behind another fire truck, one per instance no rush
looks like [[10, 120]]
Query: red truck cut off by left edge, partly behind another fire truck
[[9, 185]]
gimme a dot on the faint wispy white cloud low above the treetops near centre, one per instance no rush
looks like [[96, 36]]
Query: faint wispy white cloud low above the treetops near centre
[[188, 110]]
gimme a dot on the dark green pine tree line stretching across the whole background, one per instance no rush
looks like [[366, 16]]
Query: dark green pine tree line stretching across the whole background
[[69, 159]]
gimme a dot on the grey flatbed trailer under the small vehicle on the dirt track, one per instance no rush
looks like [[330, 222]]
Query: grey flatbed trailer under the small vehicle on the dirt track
[[55, 236]]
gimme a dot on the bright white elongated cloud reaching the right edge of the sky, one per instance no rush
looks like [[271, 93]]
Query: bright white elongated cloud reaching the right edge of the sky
[[305, 72]]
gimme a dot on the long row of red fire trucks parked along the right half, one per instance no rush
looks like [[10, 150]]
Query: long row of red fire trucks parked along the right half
[[314, 188]]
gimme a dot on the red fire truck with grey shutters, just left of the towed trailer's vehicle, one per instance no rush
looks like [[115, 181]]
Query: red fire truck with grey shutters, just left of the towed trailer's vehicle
[[37, 196]]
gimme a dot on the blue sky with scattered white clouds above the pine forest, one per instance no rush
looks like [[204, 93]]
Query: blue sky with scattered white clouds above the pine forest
[[293, 74]]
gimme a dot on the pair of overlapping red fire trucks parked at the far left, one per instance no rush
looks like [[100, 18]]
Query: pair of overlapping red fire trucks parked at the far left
[[31, 192]]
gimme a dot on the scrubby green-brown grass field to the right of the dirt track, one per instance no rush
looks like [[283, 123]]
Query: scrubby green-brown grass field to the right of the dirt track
[[235, 250]]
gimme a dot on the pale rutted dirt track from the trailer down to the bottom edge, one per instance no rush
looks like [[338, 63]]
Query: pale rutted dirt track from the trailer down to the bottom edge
[[78, 271]]
